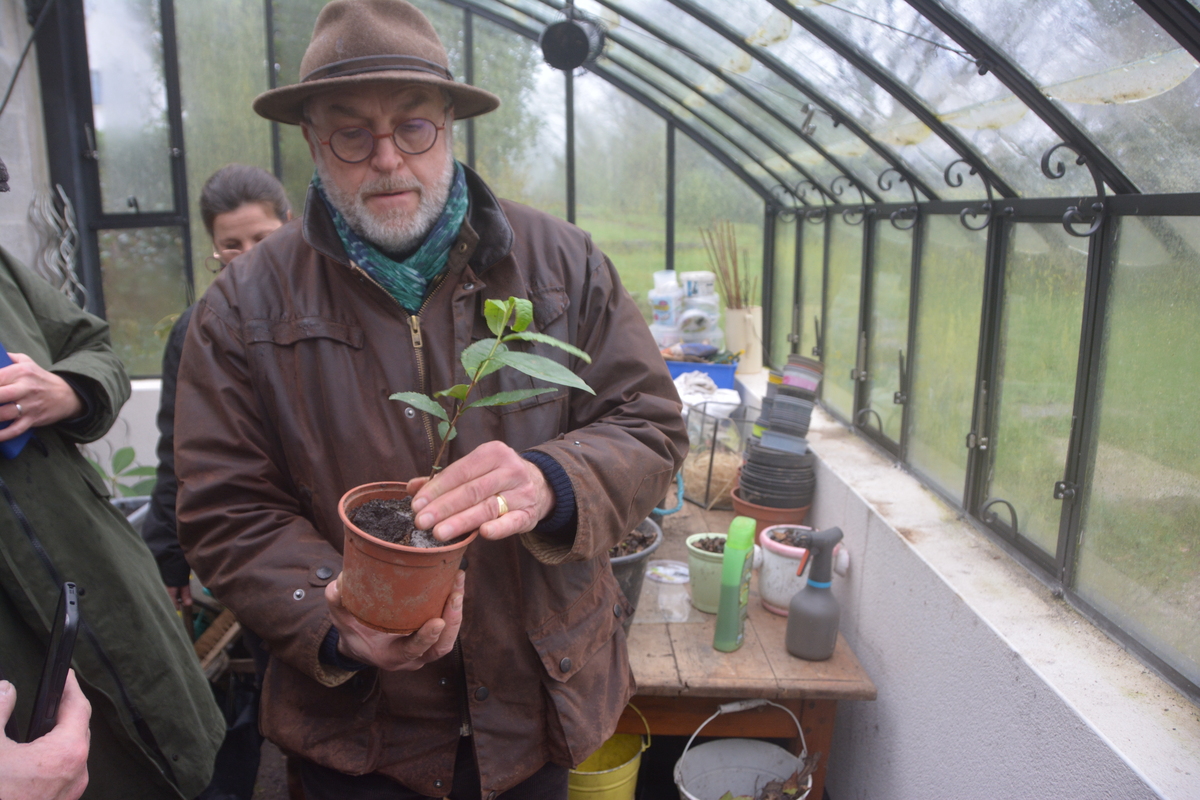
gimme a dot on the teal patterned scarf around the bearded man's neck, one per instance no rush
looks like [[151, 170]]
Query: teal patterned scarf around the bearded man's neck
[[410, 280]]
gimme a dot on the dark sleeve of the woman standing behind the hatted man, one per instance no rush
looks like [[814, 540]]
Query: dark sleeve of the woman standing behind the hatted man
[[160, 531]]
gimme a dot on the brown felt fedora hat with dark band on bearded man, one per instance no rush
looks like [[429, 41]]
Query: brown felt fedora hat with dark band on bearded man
[[362, 43]]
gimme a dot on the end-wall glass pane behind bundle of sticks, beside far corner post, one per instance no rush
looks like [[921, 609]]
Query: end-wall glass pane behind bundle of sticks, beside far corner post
[[706, 194]]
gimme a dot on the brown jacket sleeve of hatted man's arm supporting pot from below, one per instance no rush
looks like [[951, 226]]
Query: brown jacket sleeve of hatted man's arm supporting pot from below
[[239, 522]]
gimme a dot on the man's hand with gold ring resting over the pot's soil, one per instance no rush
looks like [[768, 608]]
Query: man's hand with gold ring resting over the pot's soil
[[464, 496]]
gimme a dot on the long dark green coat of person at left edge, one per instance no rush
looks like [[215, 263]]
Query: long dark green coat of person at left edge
[[155, 727]]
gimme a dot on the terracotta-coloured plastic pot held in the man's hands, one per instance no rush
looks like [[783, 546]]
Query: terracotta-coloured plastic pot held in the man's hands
[[393, 588]]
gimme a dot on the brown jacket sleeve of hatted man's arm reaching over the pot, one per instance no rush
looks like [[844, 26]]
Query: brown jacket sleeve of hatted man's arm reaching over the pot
[[628, 441]]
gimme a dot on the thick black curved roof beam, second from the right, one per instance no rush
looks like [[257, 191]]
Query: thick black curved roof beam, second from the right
[[1028, 92]]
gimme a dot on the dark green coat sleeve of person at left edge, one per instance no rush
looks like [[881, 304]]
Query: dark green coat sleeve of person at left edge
[[81, 347]]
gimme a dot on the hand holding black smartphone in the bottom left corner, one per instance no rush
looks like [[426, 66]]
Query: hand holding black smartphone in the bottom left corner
[[55, 767]]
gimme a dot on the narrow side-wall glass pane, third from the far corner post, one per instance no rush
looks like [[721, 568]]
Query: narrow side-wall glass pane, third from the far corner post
[[842, 323]]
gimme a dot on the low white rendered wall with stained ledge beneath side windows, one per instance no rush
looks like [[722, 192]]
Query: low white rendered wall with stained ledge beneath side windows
[[988, 687]]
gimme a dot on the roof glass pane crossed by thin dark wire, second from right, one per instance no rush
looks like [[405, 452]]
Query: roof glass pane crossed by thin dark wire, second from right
[[1003, 129]]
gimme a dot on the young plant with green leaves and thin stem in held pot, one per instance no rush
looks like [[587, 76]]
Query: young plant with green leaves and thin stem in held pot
[[490, 356]]
